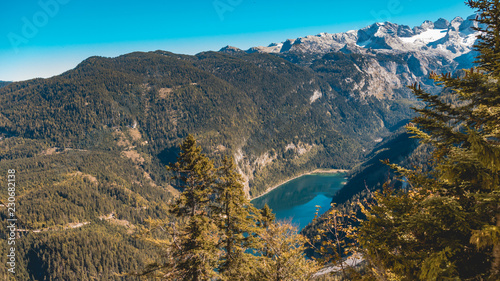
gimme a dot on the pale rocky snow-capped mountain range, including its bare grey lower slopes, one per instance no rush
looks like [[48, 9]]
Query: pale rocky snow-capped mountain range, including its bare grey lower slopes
[[393, 56]]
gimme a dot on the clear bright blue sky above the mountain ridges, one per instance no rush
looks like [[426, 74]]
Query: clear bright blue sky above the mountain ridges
[[47, 37]]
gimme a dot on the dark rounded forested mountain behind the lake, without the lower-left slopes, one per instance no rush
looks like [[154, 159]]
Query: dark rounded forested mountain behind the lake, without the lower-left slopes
[[258, 107]]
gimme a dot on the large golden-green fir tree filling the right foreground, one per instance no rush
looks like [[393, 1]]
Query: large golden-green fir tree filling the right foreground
[[447, 225]]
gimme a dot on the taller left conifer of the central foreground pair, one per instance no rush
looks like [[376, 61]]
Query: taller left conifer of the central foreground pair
[[196, 251]]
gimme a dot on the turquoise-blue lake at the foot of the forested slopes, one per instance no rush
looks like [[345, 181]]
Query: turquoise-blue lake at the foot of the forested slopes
[[296, 199]]
